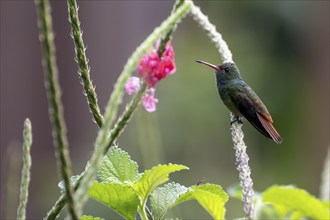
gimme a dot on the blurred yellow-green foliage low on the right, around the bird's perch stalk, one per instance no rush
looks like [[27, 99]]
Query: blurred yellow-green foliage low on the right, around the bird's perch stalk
[[287, 202]]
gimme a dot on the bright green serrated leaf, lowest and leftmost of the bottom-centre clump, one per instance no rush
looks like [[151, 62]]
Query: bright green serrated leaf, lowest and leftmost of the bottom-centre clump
[[119, 197]]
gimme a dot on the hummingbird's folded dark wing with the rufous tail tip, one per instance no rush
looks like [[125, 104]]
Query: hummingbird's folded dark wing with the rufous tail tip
[[252, 108]]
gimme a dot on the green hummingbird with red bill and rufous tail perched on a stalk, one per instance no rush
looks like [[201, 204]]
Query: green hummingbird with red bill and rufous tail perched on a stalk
[[241, 100]]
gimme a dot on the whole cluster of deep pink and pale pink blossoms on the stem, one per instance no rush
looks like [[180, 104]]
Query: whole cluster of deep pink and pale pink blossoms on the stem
[[152, 69]]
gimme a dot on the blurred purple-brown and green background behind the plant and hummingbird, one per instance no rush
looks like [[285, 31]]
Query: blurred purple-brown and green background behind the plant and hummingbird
[[281, 48]]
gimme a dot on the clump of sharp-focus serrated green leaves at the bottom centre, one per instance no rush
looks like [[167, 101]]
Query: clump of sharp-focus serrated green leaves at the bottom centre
[[128, 192]]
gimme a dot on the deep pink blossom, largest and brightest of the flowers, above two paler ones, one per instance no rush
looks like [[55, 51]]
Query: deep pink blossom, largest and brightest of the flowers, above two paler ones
[[152, 68]]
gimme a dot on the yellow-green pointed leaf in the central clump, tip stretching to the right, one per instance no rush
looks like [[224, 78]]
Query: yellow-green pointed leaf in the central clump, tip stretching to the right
[[154, 177]]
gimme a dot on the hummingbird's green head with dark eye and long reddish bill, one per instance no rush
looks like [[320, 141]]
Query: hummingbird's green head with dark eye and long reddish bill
[[224, 72]]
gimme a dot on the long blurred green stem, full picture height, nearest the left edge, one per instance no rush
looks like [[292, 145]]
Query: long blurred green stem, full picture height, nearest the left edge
[[54, 97]]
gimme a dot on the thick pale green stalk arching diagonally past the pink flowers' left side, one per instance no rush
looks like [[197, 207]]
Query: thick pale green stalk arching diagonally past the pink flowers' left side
[[103, 141]]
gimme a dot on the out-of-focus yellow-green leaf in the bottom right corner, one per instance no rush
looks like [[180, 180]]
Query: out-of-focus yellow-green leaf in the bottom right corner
[[297, 200]]
